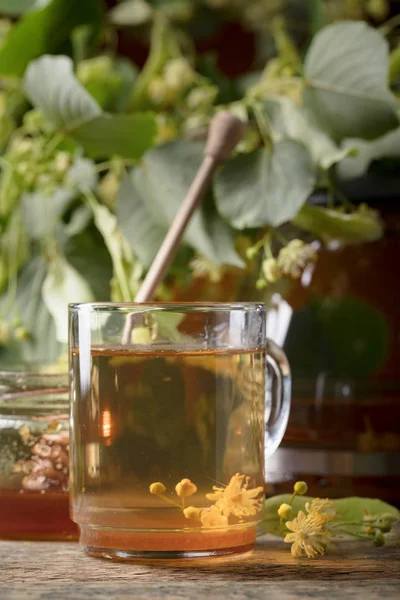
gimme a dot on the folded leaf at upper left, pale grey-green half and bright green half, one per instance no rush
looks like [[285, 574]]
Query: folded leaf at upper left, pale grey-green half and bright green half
[[52, 87]]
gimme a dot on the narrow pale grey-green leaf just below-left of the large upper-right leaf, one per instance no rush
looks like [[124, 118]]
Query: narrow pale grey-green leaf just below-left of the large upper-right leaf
[[287, 120]]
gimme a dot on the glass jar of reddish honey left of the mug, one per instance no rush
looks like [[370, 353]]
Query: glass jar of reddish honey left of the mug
[[34, 469]]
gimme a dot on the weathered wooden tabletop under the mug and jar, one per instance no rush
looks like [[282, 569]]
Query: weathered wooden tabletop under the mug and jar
[[58, 571]]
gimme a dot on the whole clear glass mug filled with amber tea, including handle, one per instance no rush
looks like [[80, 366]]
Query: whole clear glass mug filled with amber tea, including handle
[[172, 416]]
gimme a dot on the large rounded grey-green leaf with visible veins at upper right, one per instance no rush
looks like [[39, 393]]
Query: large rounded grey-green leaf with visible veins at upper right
[[346, 69]]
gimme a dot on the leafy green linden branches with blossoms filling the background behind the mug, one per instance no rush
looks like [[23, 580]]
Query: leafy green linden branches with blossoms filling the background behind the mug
[[97, 153]]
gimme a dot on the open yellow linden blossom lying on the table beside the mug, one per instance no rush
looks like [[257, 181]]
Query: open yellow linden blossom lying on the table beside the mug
[[309, 534]]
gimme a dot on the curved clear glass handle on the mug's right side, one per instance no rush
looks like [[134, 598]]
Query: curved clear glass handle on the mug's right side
[[277, 396]]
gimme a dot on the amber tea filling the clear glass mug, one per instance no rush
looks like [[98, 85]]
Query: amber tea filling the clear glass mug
[[171, 441]]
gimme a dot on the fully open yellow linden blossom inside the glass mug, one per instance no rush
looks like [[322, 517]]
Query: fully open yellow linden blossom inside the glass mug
[[236, 499]]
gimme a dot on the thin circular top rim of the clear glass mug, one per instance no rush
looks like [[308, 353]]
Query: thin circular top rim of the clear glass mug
[[170, 306]]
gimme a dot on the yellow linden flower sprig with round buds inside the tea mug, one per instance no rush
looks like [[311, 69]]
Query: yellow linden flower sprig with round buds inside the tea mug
[[234, 499]]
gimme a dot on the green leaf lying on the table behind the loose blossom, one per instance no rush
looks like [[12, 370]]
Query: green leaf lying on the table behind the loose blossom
[[349, 510]]
